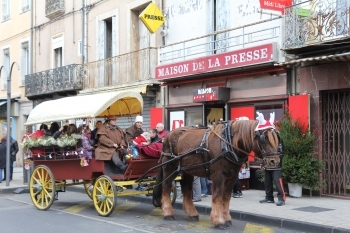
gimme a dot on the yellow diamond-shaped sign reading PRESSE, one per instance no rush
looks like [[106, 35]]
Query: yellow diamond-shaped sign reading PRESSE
[[152, 17]]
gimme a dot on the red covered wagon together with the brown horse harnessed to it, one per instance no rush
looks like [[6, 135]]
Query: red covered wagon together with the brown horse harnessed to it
[[216, 153]]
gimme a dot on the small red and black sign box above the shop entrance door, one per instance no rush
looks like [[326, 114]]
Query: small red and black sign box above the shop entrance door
[[211, 94]]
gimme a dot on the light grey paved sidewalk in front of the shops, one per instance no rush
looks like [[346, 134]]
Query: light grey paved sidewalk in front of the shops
[[307, 214]]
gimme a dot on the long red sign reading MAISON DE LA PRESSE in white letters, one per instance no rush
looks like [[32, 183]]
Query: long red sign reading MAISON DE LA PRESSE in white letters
[[234, 59]]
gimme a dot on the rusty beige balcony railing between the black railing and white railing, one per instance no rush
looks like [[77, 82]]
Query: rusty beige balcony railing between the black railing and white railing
[[123, 69]]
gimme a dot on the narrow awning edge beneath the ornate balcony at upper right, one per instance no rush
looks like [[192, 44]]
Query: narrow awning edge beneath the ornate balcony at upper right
[[324, 58]]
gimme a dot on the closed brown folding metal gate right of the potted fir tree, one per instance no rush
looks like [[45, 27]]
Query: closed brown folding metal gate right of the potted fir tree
[[336, 141]]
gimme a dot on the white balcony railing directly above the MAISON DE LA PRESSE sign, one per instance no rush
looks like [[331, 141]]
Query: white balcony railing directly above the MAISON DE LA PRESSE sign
[[222, 41]]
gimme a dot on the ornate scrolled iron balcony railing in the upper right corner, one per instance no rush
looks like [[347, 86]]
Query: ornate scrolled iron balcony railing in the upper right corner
[[316, 21]]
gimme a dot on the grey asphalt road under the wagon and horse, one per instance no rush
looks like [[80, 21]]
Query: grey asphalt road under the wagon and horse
[[74, 212]]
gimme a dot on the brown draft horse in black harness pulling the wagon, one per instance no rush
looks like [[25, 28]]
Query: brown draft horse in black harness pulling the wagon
[[184, 143]]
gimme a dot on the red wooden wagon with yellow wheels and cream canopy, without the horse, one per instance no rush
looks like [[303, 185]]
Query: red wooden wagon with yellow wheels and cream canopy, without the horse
[[56, 168]]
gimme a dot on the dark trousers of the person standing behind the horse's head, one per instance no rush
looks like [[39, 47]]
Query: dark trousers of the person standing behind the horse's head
[[274, 176]]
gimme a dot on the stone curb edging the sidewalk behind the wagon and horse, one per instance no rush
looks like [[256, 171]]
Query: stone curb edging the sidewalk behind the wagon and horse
[[238, 215]]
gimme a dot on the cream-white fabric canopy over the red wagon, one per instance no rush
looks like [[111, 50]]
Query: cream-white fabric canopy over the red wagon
[[124, 103]]
